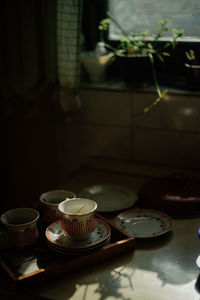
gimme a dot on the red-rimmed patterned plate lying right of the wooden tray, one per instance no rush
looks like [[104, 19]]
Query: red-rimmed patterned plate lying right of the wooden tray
[[144, 223]]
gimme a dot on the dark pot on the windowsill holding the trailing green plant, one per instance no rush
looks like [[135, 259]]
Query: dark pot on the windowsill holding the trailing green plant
[[134, 70]]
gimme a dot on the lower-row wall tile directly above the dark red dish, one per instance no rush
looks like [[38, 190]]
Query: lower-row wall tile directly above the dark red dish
[[167, 148]]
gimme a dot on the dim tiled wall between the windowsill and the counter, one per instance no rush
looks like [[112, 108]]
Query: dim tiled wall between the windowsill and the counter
[[168, 135]]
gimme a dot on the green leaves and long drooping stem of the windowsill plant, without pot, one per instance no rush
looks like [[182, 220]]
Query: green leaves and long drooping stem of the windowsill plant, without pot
[[142, 46]]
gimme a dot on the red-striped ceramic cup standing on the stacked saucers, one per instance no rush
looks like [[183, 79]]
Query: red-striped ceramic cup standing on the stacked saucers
[[77, 216]]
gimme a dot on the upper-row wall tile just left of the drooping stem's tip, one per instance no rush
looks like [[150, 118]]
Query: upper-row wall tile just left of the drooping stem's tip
[[105, 107]]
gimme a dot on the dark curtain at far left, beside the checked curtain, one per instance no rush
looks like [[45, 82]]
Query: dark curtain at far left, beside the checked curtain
[[28, 47]]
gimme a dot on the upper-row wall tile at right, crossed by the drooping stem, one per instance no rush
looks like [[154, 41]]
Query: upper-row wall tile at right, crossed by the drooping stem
[[176, 112]]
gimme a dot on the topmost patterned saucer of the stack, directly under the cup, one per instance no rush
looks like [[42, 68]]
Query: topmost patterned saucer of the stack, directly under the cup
[[56, 237]]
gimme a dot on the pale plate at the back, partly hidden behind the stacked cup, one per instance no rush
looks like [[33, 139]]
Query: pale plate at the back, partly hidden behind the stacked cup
[[109, 197]]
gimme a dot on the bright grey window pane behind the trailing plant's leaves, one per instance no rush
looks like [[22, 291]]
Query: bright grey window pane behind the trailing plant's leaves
[[139, 15]]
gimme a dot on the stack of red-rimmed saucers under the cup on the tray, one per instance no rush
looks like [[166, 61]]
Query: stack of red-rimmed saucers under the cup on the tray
[[62, 243]]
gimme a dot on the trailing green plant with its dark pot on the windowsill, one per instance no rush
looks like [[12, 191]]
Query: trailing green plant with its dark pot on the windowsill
[[135, 56]]
